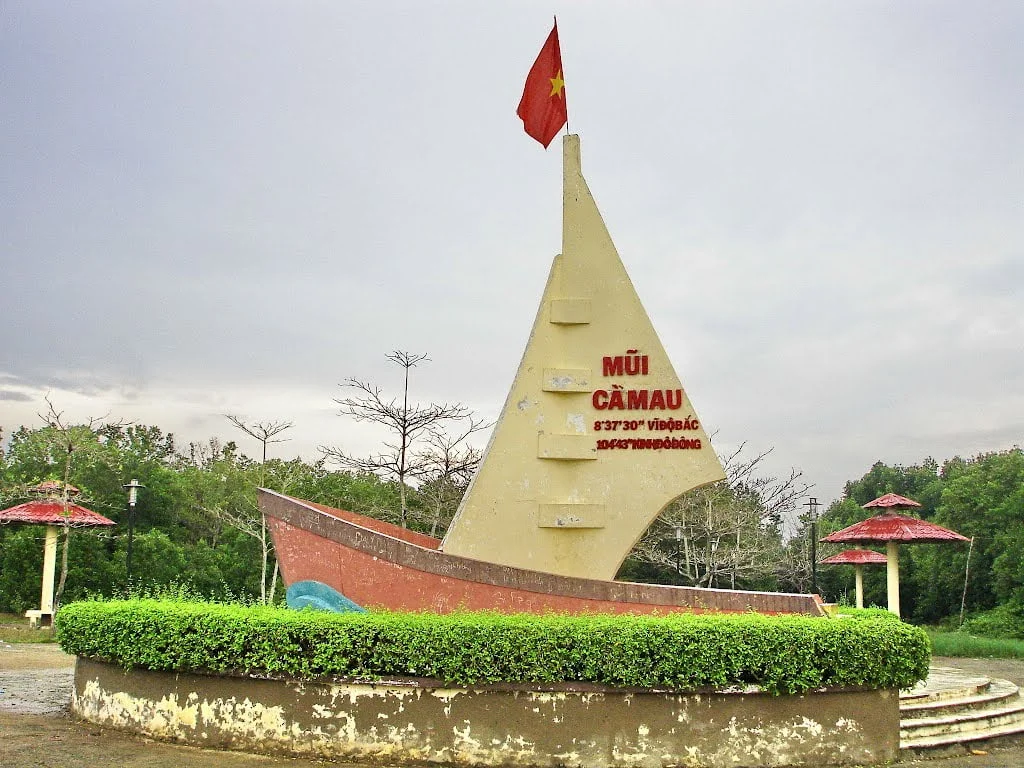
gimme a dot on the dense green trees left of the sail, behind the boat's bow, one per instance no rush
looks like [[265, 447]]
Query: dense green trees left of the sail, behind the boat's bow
[[182, 525]]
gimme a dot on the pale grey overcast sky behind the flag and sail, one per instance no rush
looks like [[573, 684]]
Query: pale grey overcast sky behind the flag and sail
[[230, 207]]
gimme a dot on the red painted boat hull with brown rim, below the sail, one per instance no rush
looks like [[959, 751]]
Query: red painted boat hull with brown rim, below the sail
[[379, 566]]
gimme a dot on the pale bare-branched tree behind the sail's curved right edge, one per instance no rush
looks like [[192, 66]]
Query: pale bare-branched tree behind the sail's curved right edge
[[728, 533]]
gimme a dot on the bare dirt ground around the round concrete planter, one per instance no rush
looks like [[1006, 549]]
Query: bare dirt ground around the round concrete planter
[[36, 731]]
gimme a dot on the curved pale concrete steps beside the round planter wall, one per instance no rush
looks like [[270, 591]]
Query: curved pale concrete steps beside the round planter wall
[[953, 708]]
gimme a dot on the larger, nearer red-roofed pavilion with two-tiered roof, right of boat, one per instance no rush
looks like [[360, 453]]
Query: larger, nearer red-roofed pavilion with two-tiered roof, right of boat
[[892, 528]]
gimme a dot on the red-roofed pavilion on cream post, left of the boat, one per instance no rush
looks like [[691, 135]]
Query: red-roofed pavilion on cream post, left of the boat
[[55, 515]]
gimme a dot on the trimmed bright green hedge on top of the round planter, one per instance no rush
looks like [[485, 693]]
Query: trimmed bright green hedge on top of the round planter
[[783, 655]]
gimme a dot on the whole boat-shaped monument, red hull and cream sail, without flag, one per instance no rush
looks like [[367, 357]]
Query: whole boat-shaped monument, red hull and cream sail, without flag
[[596, 438]]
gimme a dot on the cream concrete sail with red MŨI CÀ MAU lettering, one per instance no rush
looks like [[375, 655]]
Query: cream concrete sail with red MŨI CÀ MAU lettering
[[598, 435]]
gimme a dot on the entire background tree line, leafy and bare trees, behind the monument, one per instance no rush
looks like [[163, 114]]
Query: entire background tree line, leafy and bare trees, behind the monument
[[198, 523]]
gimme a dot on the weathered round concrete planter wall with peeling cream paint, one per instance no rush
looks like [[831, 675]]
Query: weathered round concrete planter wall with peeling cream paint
[[398, 722]]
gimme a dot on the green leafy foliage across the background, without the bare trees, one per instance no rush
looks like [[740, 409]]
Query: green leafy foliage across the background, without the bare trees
[[183, 533]]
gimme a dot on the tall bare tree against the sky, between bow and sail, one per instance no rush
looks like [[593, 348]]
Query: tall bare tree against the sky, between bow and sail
[[406, 423]]
